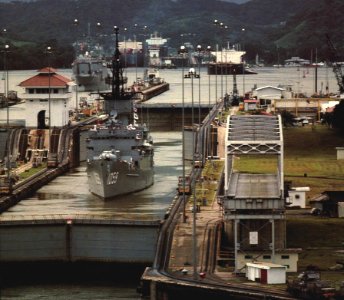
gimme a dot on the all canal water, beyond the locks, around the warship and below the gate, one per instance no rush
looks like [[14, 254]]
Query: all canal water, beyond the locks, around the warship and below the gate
[[69, 195]]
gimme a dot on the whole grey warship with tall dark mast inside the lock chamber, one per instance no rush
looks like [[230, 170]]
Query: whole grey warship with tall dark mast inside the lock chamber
[[120, 151]]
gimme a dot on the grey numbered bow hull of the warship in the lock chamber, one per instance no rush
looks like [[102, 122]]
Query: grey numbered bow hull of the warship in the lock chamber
[[108, 179]]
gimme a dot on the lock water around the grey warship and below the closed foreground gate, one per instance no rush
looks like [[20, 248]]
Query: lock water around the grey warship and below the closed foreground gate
[[68, 195]]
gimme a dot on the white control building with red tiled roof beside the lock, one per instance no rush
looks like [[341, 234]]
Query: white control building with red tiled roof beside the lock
[[44, 91]]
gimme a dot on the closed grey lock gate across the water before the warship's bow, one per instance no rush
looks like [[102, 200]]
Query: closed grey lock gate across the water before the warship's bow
[[51, 242]]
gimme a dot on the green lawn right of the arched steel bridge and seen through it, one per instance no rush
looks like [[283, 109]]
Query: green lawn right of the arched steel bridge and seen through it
[[309, 159]]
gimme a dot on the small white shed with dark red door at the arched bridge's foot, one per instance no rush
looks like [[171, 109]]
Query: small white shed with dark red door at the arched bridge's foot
[[266, 273]]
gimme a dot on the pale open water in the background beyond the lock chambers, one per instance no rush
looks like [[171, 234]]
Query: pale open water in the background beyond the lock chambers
[[203, 90]]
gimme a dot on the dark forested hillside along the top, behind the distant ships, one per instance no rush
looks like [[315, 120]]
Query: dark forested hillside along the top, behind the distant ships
[[291, 27]]
